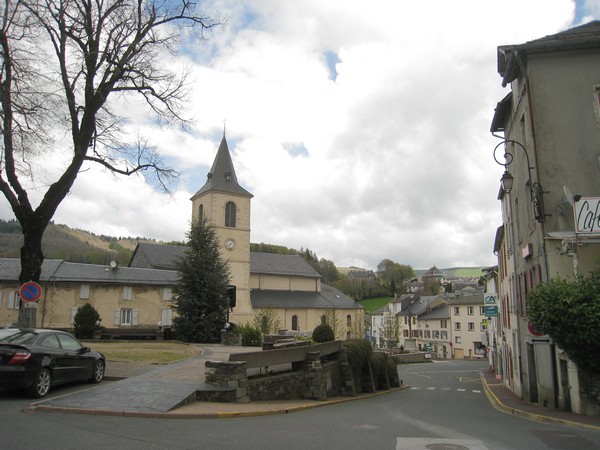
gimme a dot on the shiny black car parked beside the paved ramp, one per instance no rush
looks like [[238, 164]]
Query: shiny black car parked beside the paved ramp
[[36, 359]]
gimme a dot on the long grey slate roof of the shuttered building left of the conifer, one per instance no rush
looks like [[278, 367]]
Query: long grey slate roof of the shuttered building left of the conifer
[[55, 270]]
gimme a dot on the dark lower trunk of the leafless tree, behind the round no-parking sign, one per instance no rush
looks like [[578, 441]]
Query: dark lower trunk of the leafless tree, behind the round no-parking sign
[[32, 258]]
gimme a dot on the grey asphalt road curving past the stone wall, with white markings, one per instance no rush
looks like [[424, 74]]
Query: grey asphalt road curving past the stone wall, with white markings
[[444, 408]]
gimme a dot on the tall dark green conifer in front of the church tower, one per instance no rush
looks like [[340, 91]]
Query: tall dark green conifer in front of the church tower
[[200, 297]]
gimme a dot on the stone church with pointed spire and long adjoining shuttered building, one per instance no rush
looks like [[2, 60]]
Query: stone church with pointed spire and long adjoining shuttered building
[[136, 299]]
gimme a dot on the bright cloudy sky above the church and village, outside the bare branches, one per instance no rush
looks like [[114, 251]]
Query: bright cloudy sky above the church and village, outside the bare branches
[[361, 128]]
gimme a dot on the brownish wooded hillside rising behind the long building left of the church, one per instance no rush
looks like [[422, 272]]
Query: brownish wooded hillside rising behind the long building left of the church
[[62, 242]]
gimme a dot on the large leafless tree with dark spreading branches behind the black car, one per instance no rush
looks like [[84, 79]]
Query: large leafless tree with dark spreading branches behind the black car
[[65, 65]]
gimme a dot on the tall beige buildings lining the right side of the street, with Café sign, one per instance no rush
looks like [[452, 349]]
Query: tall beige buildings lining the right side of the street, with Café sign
[[548, 127]]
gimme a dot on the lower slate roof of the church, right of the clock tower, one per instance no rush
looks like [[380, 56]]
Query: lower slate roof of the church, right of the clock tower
[[329, 297]]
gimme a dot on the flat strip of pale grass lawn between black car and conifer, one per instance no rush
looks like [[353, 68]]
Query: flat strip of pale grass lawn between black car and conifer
[[149, 352]]
